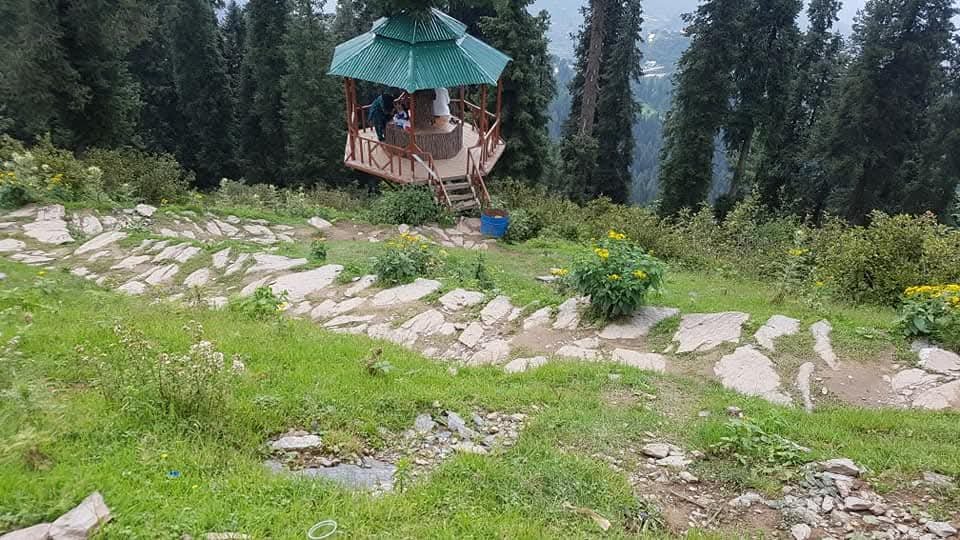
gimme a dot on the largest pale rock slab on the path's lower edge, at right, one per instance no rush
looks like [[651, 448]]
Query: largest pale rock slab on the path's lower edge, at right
[[749, 372]]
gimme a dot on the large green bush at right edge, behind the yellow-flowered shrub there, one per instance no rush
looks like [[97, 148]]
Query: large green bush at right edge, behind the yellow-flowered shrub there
[[876, 263]]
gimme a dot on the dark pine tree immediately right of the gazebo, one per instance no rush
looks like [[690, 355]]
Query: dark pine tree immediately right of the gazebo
[[528, 87]]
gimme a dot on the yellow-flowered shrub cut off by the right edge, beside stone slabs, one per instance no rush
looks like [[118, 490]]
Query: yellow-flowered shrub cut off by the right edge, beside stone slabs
[[932, 311]]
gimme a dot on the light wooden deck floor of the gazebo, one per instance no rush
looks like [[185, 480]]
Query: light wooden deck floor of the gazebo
[[371, 156]]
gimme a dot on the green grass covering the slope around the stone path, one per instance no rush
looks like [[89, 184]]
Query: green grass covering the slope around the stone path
[[301, 376]]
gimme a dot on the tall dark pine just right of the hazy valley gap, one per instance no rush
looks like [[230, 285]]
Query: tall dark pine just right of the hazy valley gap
[[703, 87]]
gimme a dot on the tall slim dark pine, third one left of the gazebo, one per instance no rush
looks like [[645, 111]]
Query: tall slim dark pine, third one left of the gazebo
[[203, 91]]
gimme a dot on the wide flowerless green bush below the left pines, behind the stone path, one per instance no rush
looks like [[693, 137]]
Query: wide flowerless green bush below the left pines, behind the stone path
[[132, 176]]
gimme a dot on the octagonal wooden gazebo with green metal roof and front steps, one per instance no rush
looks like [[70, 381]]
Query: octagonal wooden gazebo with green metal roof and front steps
[[419, 52]]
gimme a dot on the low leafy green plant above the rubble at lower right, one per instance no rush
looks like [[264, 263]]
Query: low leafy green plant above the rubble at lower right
[[751, 443]]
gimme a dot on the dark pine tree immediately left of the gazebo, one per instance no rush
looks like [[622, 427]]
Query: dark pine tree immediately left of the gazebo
[[313, 101]]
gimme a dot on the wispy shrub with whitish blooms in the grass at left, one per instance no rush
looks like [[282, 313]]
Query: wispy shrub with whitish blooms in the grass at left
[[134, 373]]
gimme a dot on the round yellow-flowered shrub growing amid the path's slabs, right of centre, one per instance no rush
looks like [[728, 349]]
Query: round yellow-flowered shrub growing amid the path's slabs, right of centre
[[617, 276]]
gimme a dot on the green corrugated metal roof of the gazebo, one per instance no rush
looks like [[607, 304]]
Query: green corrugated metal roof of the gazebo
[[419, 51]]
